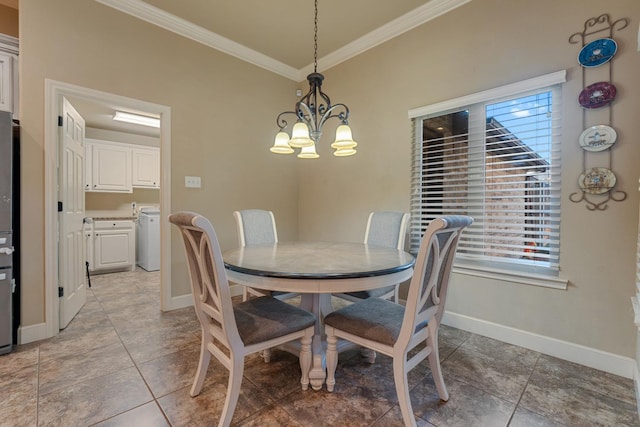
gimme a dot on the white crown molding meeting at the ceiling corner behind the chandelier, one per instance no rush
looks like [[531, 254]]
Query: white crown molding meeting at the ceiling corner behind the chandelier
[[153, 15]]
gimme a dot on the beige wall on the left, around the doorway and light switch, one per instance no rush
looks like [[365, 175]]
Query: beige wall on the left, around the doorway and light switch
[[223, 120]]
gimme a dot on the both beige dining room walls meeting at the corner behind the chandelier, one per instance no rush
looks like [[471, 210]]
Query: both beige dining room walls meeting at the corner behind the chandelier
[[481, 45]]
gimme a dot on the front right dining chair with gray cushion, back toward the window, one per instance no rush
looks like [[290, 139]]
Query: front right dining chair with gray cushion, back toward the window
[[394, 330]]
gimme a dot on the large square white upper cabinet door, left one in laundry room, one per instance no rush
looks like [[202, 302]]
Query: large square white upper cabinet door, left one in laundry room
[[111, 168]]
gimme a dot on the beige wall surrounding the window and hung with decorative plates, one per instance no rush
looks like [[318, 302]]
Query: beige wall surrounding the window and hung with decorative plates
[[484, 44]]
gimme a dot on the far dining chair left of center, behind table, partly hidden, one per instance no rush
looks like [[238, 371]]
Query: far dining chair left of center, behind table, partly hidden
[[258, 227]]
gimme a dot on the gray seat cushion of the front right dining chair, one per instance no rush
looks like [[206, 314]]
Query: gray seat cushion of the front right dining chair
[[374, 319]]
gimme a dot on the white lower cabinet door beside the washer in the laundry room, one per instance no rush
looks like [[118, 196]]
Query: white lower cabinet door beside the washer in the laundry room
[[113, 249]]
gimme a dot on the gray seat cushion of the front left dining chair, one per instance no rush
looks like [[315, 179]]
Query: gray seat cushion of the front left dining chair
[[264, 318]]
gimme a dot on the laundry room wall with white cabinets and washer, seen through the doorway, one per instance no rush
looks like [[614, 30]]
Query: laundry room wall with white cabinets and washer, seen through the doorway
[[122, 199]]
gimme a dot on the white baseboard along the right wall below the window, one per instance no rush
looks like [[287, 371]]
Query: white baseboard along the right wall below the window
[[586, 356]]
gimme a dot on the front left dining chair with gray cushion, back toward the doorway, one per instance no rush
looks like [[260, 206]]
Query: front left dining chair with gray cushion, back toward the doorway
[[230, 333]]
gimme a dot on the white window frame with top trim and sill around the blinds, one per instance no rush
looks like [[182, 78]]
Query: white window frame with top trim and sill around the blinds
[[525, 274]]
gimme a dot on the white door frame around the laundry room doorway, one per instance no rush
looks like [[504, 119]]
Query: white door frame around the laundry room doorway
[[54, 91]]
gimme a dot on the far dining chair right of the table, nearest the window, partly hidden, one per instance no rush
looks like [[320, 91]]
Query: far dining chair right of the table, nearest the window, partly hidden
[[384, 228]]
